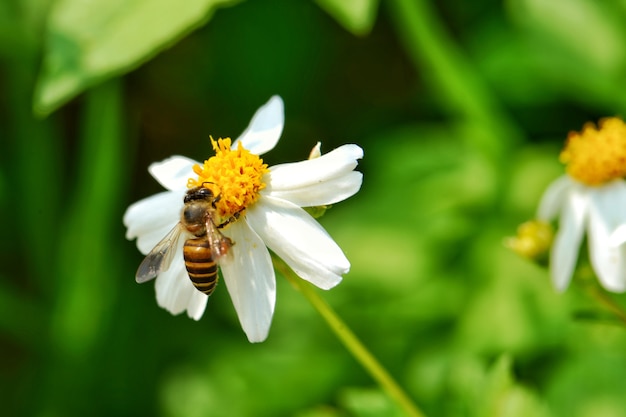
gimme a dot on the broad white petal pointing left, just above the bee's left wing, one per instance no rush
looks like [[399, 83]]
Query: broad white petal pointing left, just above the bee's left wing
[[150, 219]]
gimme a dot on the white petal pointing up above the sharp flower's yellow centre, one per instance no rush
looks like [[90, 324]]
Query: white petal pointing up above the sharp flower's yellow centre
[[265, 128]]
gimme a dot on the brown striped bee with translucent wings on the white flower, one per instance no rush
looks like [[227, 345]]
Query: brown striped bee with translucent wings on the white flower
[[201, 252]]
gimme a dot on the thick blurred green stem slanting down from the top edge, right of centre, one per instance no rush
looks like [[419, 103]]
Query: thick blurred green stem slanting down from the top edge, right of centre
[[461, 91]]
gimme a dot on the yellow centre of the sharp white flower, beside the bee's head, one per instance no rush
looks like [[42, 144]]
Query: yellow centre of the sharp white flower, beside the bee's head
[[235, 176]]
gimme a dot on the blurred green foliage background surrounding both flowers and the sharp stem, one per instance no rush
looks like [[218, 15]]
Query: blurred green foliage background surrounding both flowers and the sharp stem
[[461, 109]]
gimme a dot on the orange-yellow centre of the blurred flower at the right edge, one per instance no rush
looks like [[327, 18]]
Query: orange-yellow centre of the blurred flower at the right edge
[[596, 156]]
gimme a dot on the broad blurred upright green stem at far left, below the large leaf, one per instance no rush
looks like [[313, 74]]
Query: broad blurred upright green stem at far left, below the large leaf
[[86, 257]]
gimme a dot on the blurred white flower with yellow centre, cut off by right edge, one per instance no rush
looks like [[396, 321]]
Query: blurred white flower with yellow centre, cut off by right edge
[[591, 198]]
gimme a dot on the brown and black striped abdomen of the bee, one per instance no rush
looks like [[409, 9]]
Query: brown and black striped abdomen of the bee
[[201, 266]]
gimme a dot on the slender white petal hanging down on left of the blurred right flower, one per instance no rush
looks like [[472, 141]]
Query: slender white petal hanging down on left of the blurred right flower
[[567, 241]]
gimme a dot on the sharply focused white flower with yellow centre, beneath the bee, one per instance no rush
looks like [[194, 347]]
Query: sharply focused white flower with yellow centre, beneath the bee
[[272, 217]]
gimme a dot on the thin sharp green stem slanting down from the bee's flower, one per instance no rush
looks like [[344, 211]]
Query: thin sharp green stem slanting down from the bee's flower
[[350, 341]]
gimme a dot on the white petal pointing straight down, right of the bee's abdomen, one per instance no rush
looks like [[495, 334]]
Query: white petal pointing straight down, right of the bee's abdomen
[[249, 277]]
